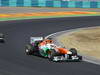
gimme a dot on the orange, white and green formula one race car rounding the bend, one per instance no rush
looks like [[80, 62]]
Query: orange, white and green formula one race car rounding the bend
[[46, 48]]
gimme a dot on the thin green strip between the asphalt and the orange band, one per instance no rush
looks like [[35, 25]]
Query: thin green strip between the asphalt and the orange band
[[39, 17]]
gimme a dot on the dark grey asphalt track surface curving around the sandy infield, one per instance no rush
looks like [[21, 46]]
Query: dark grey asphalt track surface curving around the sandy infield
[[13, 60]]
